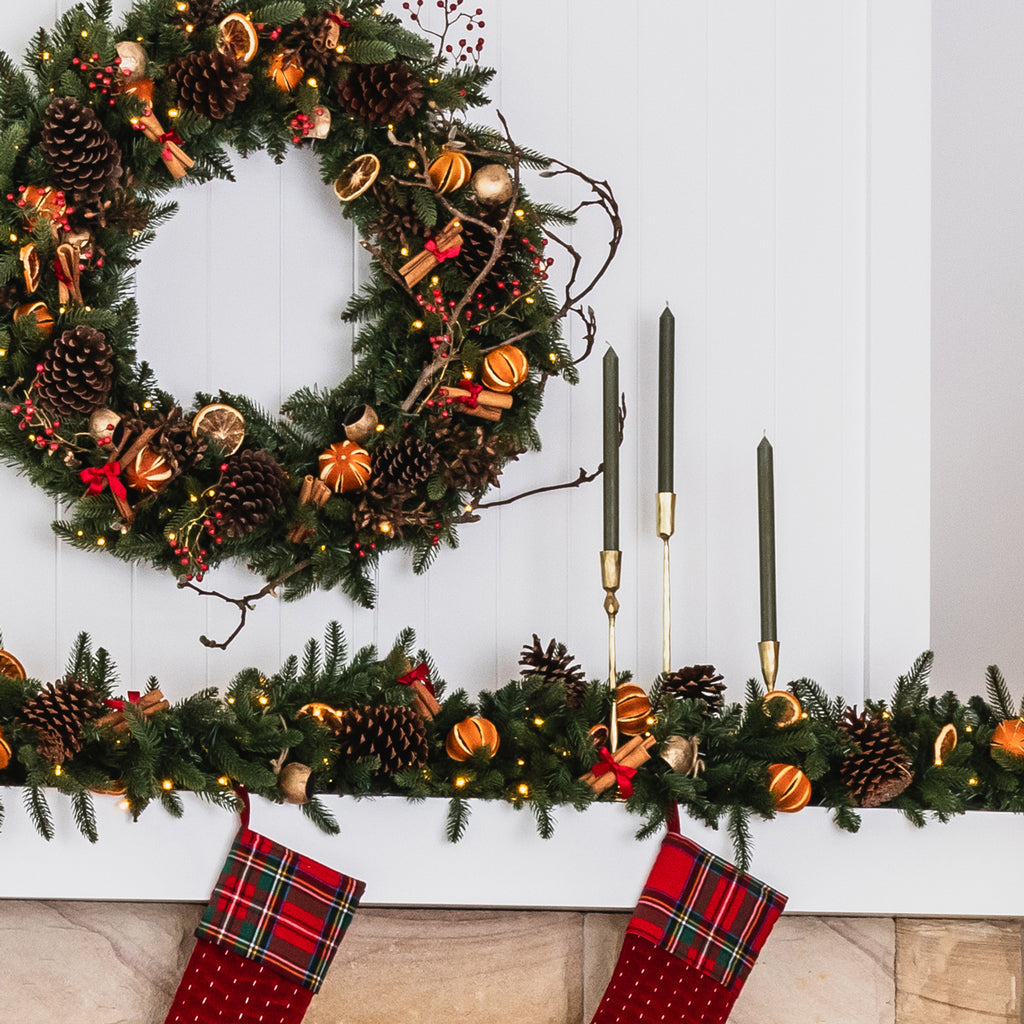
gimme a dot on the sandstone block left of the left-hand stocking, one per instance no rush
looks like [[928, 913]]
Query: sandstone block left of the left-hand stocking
[[93, 963]]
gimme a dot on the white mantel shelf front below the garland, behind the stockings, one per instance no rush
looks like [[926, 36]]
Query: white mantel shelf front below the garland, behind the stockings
[[399, 848]]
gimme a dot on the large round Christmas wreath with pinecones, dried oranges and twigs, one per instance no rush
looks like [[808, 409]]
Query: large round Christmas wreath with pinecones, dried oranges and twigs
[[460, 327]]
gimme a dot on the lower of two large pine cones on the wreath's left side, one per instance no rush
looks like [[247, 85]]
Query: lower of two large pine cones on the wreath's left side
[[77, 373]]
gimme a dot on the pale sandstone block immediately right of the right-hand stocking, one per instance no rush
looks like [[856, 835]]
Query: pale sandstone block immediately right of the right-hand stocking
[[834, 970]]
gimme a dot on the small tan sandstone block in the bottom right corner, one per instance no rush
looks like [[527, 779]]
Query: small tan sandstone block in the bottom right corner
[[958, 972]]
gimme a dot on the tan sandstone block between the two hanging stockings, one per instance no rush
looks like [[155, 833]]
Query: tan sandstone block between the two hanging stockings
[[490, 967]]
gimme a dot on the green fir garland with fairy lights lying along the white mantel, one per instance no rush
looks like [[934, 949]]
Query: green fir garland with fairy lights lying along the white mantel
[[208, 744]]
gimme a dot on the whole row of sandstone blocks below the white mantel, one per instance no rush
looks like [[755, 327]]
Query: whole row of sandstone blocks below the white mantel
[[80, 963]]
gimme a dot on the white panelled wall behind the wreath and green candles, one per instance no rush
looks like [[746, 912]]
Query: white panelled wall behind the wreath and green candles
[[773, 163]]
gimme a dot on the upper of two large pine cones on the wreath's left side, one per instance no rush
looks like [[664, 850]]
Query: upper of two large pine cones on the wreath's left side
[[84, 159]]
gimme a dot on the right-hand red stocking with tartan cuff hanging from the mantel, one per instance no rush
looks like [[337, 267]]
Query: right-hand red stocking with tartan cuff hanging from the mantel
[[692, 942]]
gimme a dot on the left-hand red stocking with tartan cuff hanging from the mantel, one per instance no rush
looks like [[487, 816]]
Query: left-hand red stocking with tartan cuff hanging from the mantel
[[267, 938]]
